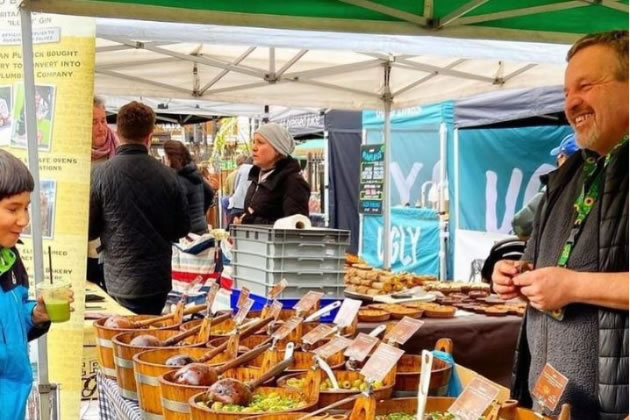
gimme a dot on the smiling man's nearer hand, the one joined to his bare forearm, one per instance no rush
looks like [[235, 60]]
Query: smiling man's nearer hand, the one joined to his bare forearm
[[547, 289]]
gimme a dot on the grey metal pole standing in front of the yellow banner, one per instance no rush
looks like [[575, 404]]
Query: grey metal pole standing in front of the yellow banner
[[36, 220]]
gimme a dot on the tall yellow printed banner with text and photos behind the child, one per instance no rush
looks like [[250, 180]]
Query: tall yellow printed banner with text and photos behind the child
[[64, 50]]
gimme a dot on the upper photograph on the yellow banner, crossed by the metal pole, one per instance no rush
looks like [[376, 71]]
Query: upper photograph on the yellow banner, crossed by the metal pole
[[44, 109]]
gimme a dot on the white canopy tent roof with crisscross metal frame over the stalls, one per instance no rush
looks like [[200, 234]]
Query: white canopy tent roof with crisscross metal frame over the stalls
[[310, 69]]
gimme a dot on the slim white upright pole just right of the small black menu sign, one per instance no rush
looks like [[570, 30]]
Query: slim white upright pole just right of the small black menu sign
[[387, 104]]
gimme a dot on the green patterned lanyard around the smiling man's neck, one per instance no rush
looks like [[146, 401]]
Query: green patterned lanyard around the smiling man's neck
[[593, 175]]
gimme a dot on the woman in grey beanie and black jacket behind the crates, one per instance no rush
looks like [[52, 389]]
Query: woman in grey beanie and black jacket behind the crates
[[277, 188]]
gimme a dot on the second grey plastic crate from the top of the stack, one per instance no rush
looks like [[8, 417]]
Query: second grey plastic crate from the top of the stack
[[283, 264]]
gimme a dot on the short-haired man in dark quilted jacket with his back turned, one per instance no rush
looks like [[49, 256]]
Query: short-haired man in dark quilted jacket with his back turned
[[138, 209]]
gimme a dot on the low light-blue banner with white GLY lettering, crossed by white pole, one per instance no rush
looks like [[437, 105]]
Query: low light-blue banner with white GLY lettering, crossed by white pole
[[414, 240]]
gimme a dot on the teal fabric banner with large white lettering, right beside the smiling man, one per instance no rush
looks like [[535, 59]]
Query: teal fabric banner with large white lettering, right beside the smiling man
[[499, 171]]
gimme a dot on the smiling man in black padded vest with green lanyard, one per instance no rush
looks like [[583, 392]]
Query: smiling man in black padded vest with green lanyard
[[577, 319]]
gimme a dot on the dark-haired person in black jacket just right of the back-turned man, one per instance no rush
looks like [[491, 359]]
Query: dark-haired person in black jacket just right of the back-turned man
[[198, 192]]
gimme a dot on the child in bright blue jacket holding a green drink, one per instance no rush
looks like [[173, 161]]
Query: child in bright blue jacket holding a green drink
[[21, 319]]
